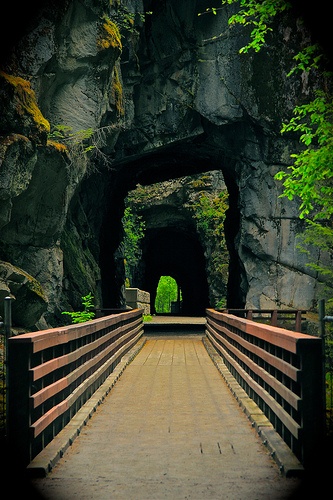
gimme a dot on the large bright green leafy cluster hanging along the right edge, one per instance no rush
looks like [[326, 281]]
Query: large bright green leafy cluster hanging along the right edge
[[310, 180]]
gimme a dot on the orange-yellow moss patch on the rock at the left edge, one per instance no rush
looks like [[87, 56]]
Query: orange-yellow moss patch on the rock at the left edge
[[26, 102]]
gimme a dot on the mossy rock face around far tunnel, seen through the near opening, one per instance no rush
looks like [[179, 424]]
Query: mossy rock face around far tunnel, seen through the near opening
[[184, 237]]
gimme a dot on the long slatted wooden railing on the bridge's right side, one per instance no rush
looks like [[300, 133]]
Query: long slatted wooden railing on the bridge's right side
[[281, 371]]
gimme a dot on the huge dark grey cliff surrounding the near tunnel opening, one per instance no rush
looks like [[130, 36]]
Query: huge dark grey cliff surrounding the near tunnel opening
[[167, 96]]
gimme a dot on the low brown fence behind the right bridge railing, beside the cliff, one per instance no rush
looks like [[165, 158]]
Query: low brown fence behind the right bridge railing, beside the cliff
[[273, 316]]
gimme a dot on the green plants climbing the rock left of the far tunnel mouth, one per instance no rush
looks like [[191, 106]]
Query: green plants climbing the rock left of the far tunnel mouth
[[134, 231]]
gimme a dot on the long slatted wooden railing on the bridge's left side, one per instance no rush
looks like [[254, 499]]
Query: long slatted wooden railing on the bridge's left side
[[53, 373]]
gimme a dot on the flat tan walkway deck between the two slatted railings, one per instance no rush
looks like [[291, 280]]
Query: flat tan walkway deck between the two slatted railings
[[169, 429]]
